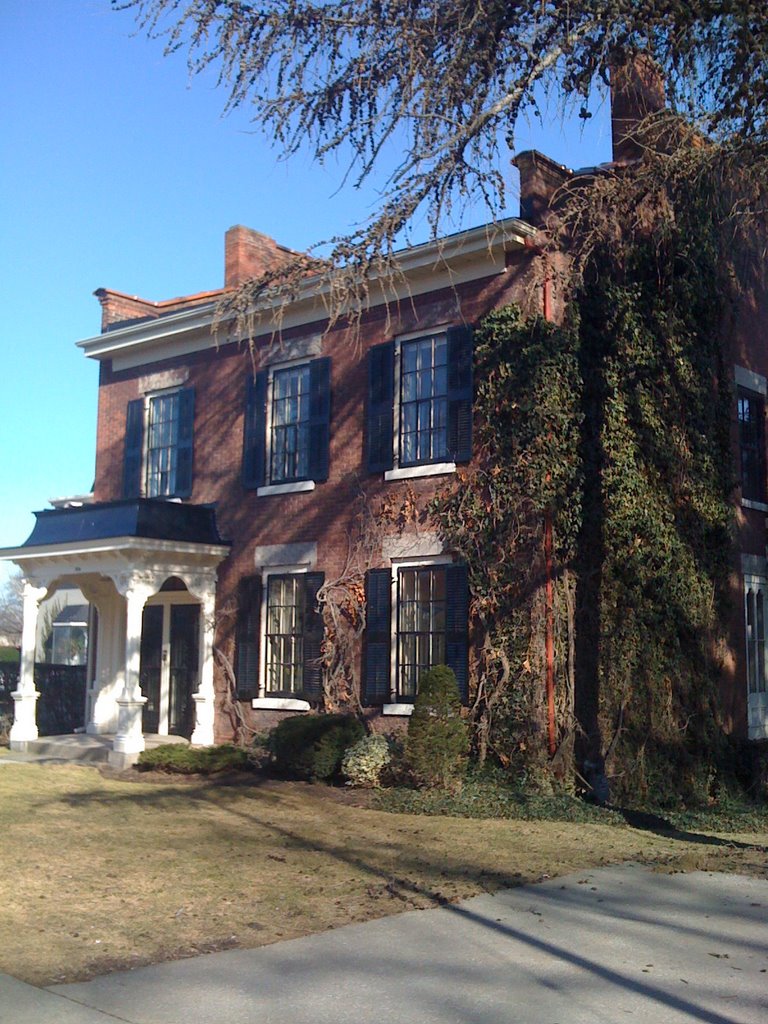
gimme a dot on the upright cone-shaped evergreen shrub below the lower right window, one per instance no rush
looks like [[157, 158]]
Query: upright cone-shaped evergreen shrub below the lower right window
[[438, 738]]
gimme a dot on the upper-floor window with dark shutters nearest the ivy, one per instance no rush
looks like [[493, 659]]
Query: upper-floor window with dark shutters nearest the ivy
[[419, 409]]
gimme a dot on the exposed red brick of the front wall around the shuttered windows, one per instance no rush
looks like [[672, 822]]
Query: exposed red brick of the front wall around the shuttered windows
[[323, 516]]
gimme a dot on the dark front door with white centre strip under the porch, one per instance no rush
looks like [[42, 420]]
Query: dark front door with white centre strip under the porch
[[169, 668]]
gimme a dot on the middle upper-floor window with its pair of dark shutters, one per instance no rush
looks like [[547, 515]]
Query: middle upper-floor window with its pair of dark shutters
[[287, 425]]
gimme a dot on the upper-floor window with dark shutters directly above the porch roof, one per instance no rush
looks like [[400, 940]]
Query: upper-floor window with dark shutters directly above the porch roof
[[159, 446]]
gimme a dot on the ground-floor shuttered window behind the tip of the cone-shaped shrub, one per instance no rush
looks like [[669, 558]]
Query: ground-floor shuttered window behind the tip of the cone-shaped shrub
[[416, 618]]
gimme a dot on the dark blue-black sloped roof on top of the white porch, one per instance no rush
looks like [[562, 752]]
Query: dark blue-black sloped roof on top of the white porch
[[152, 520]]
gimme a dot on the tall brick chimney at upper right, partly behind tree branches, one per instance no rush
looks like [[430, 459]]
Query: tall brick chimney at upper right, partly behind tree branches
[[636, 92]]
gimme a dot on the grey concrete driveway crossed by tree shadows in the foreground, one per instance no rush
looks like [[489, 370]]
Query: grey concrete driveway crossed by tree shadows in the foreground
[[615, 945]]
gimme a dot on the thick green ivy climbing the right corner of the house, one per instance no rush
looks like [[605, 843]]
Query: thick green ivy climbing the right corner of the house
[[615, 426]]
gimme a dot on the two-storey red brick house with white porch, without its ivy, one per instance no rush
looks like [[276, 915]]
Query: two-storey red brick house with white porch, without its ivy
[[226, 488]]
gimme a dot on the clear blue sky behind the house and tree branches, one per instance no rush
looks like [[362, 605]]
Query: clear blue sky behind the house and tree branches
[[117, 170]]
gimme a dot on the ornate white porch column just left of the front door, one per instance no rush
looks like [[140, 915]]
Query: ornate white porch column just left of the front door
[[130, 741]]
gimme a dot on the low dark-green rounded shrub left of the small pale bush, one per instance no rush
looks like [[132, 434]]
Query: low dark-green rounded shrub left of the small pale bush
[[313, 746]]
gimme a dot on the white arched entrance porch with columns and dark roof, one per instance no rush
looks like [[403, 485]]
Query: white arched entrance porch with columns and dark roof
[[149, 570]]
